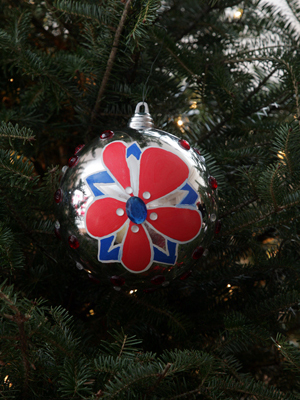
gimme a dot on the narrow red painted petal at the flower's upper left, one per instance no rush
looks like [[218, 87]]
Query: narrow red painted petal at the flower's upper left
[[114, 157]]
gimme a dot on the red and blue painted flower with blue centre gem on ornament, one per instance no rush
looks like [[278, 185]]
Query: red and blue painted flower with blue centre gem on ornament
[[144, 178]]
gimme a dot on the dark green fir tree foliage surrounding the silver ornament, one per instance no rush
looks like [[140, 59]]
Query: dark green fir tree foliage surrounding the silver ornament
[[228, 328]]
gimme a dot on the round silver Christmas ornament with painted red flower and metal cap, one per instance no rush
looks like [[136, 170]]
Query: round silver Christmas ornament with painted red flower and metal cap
[[136, 206]]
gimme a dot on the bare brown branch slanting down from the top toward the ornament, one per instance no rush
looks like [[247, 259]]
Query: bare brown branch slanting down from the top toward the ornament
[[110, 64]]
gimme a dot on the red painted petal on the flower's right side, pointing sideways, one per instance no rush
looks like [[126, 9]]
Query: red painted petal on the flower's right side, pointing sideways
[[180, 224]]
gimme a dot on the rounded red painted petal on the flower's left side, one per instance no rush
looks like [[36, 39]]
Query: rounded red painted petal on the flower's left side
[[102, 218]]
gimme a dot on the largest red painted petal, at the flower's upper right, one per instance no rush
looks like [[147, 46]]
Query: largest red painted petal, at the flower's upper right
[[161, 172]]
